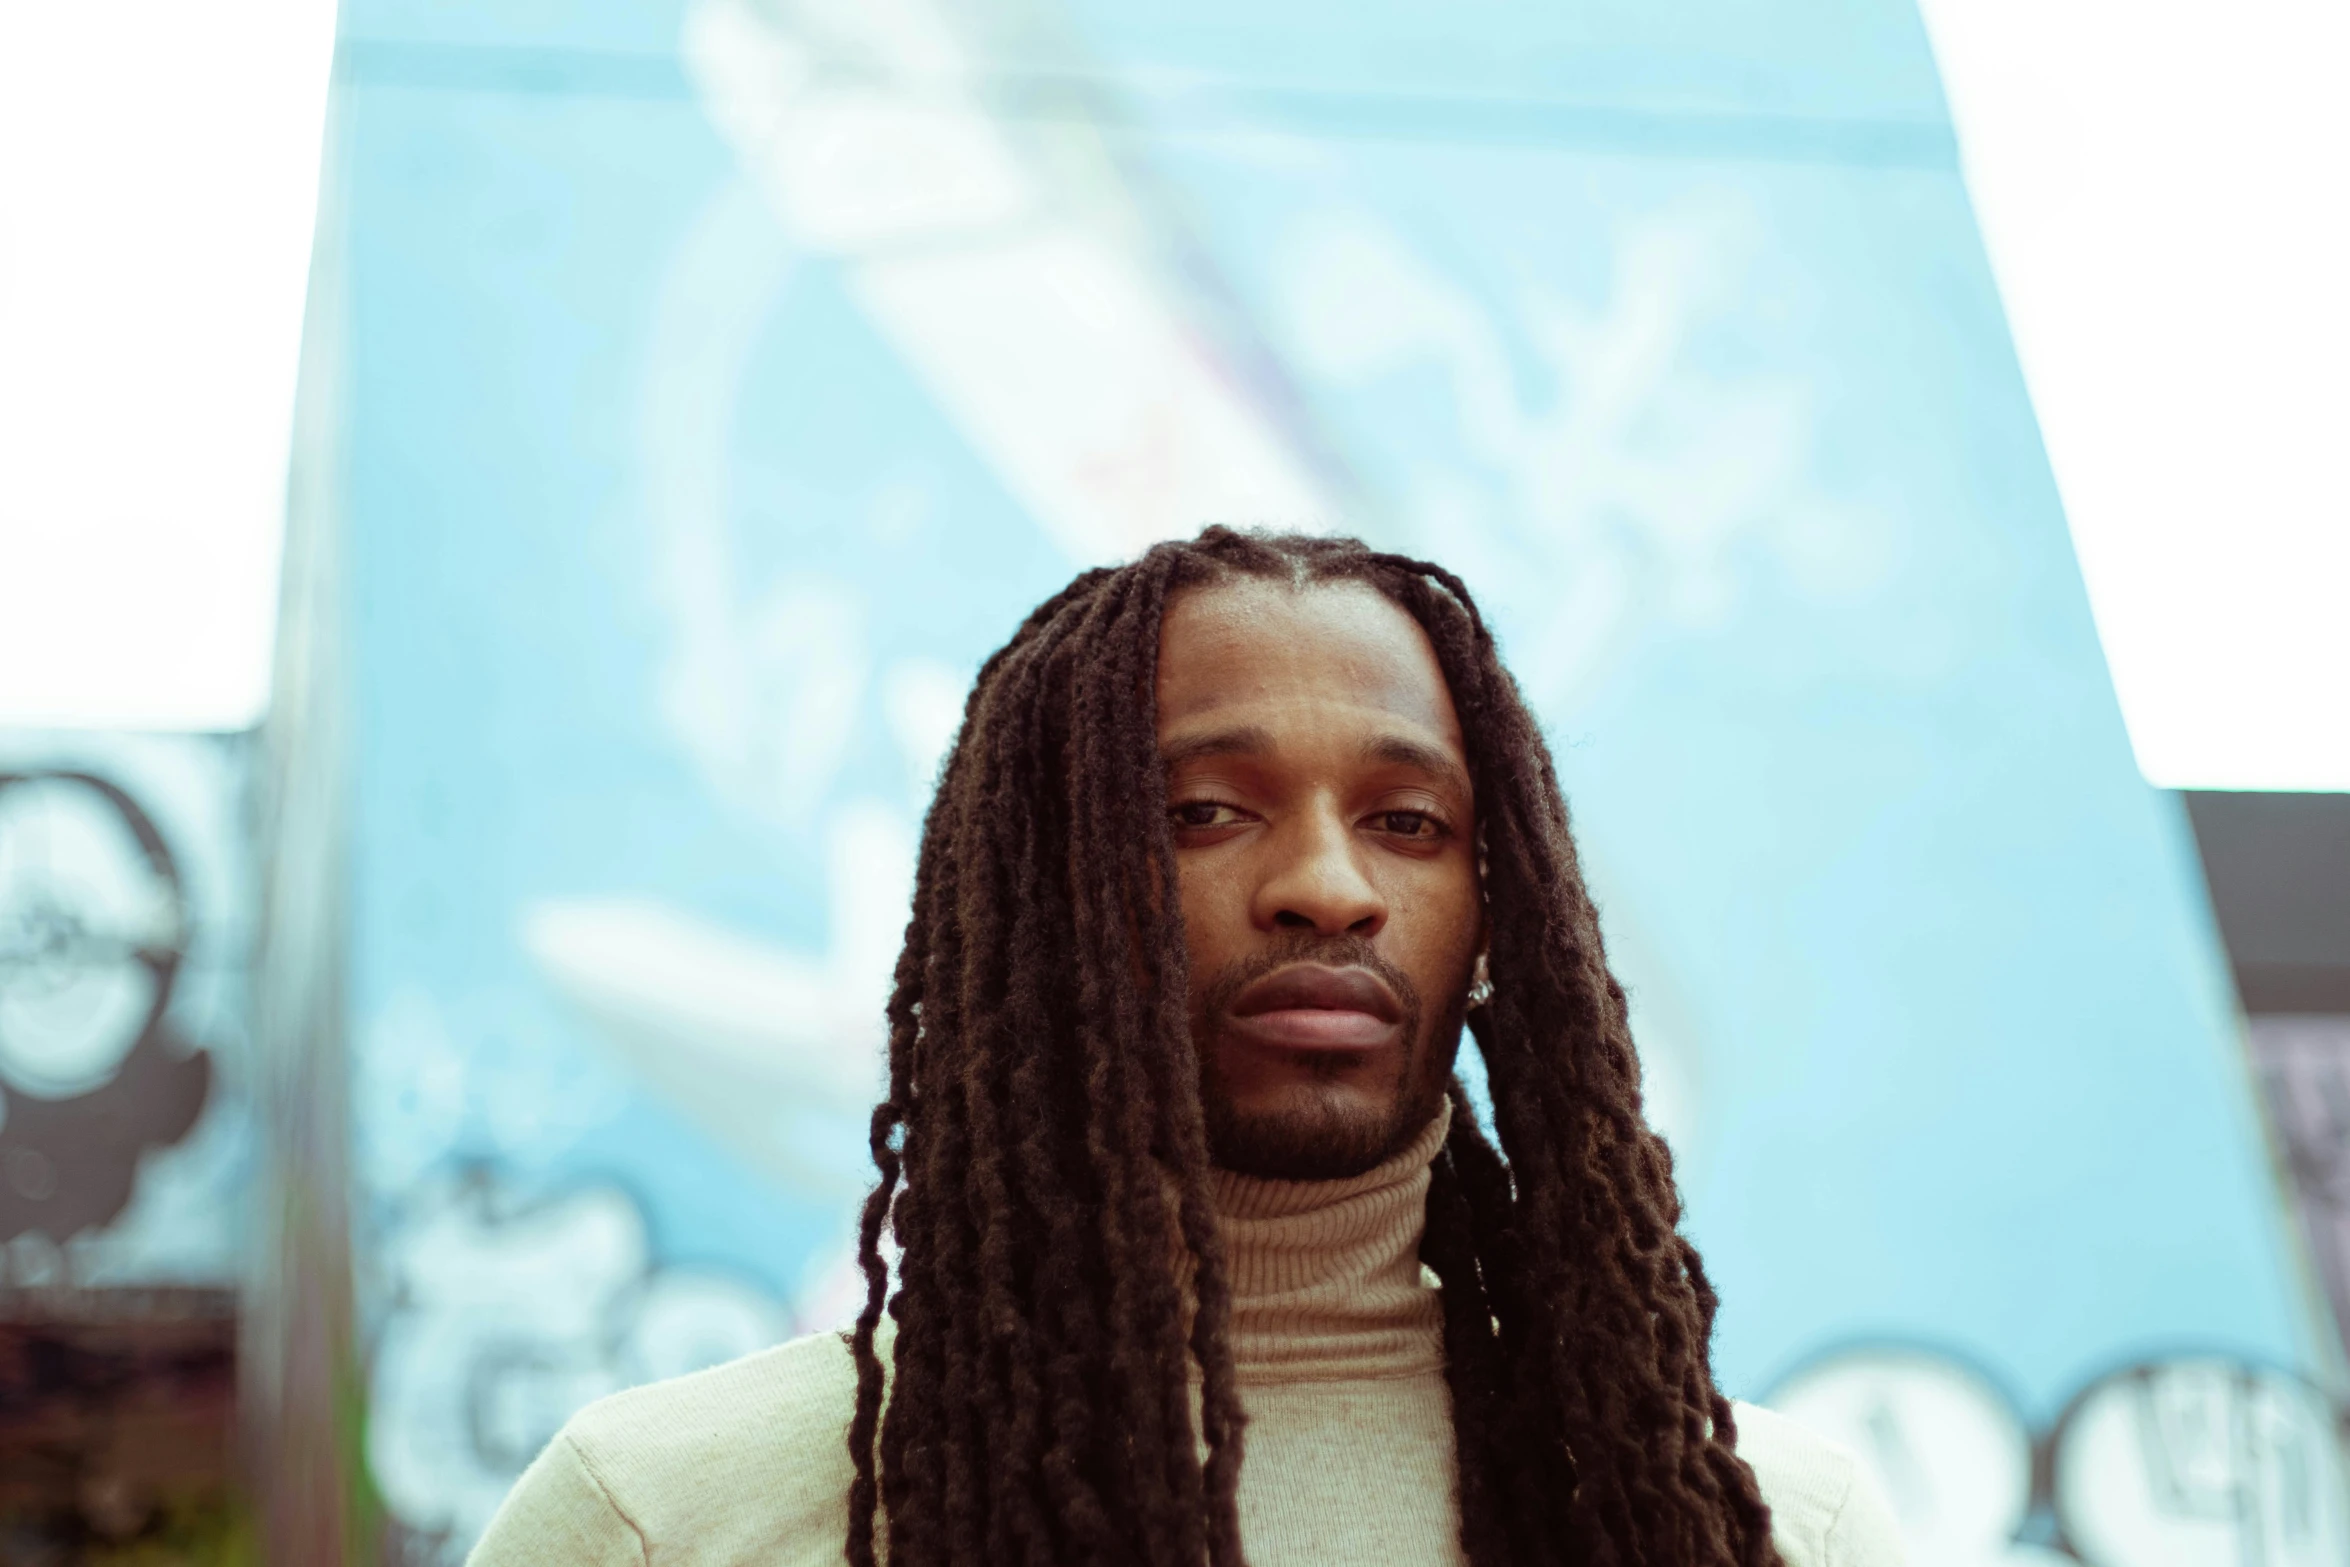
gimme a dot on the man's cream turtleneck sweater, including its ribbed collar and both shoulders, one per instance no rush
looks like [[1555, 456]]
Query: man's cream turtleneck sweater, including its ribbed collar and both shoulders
[[1338, 1340]]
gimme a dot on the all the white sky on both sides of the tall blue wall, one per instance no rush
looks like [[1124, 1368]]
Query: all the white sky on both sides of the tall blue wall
[[2161, 189]]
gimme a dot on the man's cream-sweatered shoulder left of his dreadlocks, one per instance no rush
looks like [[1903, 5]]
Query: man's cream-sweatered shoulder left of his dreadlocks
[[746, 1460]]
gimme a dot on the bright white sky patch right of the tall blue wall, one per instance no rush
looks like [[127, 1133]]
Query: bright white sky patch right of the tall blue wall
[[2166, 194]]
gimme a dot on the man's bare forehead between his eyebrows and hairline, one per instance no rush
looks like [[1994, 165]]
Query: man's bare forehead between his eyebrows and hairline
[[1322, 652]]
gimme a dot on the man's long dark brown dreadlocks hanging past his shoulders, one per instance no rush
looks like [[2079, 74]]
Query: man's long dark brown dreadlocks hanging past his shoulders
[[1045, 1159]]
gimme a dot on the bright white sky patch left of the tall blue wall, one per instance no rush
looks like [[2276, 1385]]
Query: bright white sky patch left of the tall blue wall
[[159, 177]]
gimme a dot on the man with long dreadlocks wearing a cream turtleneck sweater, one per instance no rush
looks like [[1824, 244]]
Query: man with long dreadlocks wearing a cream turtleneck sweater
[[1202, 1253]]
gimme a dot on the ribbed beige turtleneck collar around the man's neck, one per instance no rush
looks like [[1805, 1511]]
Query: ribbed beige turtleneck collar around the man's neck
[[1327, 1279]]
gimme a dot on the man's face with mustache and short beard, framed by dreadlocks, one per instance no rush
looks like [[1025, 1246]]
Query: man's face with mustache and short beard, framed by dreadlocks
[[1327, 852]]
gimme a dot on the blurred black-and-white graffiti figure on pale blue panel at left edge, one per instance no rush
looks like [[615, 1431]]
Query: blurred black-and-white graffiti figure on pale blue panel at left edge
[[121, 1009]]
